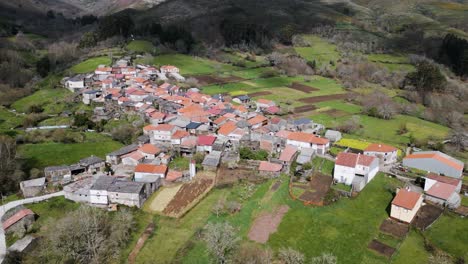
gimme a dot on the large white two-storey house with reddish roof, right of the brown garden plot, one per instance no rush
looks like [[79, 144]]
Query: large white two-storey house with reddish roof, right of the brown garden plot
[[356, 170]]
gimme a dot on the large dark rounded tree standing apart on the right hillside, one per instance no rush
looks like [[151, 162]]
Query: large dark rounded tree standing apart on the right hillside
[[427, 77]]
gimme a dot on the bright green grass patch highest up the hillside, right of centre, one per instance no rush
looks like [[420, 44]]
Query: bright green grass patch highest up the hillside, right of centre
[[320, 50]]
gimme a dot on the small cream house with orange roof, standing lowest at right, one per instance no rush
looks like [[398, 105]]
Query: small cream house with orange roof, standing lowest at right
[[405, 205]]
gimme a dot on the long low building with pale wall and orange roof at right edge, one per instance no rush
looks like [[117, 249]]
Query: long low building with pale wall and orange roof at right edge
[[435, 161]]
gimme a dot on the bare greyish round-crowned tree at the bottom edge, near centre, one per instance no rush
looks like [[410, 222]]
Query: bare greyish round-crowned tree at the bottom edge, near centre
[[221, 239]]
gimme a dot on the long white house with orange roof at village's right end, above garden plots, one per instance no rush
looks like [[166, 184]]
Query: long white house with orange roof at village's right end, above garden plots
[[306, 140]]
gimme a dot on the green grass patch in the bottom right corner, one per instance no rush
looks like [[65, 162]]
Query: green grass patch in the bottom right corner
[[450, 233]]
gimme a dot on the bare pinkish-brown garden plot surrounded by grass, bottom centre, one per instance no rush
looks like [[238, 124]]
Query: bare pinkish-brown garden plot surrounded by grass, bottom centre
[[266, 224]]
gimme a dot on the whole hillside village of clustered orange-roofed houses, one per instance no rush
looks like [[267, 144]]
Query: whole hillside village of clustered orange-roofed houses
[[214, 136]]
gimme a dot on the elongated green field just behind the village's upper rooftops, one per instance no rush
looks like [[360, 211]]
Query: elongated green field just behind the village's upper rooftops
[[190, 65]]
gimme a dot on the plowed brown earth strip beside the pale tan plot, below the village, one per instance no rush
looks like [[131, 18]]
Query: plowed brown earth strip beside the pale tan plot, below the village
[[188, 193]]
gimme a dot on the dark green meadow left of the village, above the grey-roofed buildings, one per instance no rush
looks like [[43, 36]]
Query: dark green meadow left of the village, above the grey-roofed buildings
[[51, 153]]
